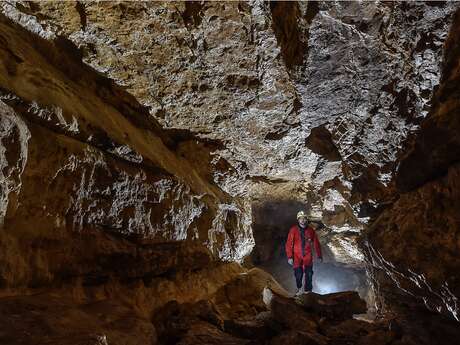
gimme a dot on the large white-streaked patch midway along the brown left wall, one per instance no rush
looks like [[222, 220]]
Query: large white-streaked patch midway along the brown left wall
[[133, 200]]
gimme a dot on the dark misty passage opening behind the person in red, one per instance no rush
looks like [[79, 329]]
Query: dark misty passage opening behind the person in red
[[271, 223]]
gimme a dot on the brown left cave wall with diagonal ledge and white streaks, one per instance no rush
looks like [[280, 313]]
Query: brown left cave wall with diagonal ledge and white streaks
[[105, 217]]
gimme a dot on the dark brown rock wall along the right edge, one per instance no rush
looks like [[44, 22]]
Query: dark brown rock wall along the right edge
[[413, 246]]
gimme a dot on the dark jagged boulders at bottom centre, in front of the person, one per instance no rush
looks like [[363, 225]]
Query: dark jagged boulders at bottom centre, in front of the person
[[282, 320]]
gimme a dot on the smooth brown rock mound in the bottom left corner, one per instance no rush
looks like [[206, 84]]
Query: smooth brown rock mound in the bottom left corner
[[57, 320]]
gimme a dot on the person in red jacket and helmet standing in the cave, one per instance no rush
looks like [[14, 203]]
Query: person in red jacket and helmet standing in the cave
[[299, 247]]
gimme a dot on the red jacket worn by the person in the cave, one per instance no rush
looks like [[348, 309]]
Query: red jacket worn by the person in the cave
[[294, 246]]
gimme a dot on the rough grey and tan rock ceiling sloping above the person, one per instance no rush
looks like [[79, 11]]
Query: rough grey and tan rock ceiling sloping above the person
[[322, 94]]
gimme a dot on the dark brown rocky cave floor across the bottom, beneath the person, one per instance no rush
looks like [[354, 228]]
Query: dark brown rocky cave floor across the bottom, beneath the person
[[251, 308]]
